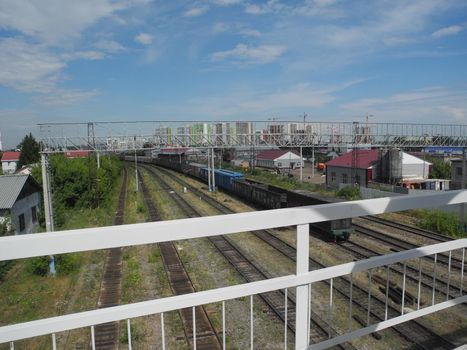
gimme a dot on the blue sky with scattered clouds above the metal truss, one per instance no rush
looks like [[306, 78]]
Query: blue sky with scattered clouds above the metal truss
[[106, 60]]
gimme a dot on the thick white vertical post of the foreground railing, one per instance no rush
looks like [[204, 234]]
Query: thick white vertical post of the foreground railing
[[301, 317]]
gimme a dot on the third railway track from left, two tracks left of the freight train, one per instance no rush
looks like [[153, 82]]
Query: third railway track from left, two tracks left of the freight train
[[251, 272]]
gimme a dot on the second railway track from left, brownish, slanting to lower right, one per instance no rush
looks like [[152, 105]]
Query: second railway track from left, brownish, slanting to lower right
[[180, 283]]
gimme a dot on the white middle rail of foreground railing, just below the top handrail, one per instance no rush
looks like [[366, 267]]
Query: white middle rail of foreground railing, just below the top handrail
[[122, 312]]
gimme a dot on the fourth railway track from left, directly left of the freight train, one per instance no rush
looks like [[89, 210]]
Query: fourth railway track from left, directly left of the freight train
[[413, 331]]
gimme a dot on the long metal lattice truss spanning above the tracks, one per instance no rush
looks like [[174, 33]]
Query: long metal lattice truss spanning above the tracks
[[130, 135]]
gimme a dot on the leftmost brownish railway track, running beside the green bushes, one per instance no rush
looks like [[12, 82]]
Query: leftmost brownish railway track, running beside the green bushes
[[107, 334]]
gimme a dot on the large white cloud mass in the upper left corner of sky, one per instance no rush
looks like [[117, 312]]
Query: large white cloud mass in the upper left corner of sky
[[34, 61]]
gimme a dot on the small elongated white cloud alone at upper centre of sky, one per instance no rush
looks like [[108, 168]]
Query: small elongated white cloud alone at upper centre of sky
[[250, 55]]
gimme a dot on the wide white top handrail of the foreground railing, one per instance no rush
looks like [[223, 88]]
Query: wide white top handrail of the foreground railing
[[30, 245]]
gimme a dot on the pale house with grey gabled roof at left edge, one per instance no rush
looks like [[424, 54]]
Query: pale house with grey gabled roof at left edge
[[19, 202]]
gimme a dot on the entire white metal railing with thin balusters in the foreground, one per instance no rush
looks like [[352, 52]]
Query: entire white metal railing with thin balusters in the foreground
[[16, 247]]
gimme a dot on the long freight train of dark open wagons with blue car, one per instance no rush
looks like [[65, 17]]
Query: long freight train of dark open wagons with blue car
[[263, 195]]
